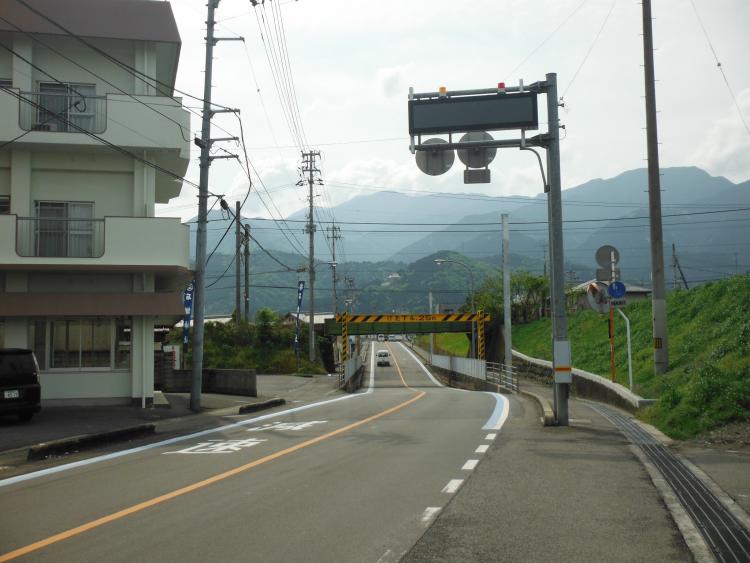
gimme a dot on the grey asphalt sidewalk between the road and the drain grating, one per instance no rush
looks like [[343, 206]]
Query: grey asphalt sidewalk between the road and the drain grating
[[575, 493]]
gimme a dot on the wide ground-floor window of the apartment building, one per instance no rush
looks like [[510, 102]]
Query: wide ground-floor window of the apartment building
[[81, 343]]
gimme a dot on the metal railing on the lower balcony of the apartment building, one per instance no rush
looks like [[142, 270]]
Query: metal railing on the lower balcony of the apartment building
[[60, 238]]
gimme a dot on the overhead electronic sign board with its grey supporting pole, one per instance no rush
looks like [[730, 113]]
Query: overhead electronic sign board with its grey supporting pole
[[474, 113]]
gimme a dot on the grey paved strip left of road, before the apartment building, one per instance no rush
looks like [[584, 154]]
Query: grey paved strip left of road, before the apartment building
[[170, 419]]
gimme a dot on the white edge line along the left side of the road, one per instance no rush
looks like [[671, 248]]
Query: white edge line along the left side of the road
[[122, 453]]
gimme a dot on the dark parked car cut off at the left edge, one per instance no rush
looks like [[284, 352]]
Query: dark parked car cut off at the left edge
[[20, 391]]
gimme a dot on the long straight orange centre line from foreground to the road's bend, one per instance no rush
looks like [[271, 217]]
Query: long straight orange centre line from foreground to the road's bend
[[195, 486]]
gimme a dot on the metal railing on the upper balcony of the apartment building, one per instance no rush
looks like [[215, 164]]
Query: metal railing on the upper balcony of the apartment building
[[52, 111]]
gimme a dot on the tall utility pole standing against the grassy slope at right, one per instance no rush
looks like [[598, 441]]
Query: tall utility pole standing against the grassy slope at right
[[658, 295]]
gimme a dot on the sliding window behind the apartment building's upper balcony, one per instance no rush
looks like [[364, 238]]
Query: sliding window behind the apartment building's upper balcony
[[67, 107]]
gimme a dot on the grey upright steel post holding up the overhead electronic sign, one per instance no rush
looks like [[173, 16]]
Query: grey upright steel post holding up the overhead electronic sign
[[561, 345]]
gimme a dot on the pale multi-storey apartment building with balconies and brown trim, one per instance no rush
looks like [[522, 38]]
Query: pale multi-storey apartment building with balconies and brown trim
[[86, 269]]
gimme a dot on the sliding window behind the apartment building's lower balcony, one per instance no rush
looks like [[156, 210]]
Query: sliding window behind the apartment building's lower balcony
[[64, 228]]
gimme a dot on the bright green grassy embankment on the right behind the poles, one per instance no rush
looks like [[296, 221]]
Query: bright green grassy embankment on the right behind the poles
[[708, 383]]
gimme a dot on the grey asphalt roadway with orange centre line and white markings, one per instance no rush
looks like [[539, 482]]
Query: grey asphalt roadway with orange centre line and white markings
[[352, 478]]
